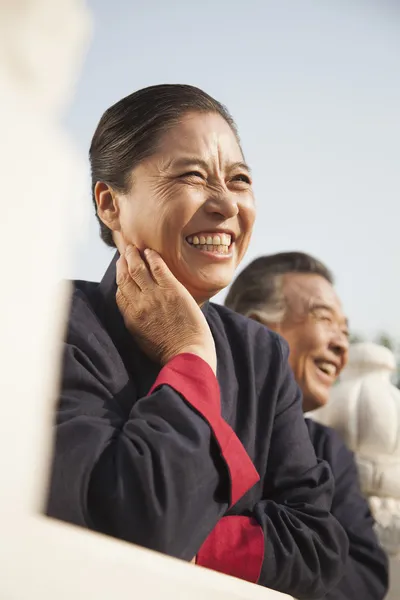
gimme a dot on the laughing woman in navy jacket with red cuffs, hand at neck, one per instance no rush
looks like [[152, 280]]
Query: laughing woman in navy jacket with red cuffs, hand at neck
[[179, 425]]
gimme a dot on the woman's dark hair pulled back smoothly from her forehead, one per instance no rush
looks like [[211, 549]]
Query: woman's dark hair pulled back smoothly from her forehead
[[129, 130]]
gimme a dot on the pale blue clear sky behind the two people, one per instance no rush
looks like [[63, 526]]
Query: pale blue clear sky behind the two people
[[314, 86]]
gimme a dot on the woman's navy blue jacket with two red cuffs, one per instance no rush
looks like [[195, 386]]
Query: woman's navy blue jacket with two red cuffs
[[163, 457]]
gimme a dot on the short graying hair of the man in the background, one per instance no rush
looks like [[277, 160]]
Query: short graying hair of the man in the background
[[258, 289]]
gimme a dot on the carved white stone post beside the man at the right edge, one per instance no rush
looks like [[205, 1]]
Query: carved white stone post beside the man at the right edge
[[365, 409]]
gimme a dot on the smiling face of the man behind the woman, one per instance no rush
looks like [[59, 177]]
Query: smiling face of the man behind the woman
[[317, 332]]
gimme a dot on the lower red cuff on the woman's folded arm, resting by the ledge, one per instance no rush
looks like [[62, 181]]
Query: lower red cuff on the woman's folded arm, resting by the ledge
[[234, 547]]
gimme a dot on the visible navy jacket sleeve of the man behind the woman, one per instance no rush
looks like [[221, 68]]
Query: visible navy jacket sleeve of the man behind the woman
[[366, 572]]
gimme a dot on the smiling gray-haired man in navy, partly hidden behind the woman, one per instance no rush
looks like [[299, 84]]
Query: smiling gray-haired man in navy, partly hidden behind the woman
[[292, 293]]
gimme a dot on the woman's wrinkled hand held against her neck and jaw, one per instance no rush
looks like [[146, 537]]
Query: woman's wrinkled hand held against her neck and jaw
[[158, 311]]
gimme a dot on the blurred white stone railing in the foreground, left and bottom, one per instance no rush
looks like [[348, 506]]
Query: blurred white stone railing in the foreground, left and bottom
[[41, 46]]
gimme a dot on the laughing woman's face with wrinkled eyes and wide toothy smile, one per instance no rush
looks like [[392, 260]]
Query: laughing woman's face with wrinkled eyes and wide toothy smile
[[191, 201]]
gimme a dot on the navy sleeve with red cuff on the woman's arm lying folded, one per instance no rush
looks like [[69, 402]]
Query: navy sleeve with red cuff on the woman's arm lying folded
[[293, 543]]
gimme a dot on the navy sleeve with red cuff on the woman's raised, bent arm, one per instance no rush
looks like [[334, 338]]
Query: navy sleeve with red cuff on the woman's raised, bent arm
[[159, 473]]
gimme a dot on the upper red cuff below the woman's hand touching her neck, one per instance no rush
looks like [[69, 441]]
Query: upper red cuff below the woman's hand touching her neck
[[194, 379]]
